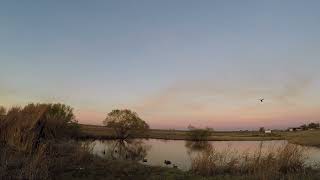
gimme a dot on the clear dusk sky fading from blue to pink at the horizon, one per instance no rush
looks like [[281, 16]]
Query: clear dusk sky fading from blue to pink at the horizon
[[175, 63]]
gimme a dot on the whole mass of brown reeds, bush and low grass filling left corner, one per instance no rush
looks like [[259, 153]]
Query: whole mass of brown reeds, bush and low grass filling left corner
[[31, 146]]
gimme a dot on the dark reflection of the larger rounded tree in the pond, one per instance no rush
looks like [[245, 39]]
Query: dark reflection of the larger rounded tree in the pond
[[135, 150]]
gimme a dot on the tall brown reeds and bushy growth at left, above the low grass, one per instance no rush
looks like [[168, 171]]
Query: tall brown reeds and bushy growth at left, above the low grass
[[25, 128]]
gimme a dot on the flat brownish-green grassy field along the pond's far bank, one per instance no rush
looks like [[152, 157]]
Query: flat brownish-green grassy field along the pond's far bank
[[309, 137]]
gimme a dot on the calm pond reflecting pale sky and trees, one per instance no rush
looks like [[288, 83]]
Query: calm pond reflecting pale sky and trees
[[179, 152]]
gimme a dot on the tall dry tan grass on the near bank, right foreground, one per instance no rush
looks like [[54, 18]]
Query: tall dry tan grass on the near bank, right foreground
[[262, 164]]
